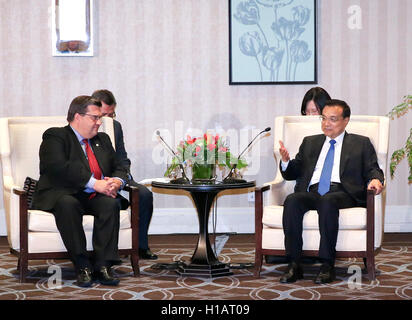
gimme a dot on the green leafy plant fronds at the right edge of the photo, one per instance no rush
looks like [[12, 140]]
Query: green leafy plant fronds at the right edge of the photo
[[406, 150]]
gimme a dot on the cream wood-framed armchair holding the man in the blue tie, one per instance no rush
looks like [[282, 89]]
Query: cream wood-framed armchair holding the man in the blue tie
[[360, 229]]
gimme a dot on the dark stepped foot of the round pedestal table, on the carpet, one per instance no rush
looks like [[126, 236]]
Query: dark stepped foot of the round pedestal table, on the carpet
[[200, 270]]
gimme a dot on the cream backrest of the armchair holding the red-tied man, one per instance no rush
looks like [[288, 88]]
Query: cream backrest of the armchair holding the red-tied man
[[20, 139]]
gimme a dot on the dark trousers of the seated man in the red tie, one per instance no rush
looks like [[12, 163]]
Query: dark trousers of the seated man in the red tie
[[69, 211]]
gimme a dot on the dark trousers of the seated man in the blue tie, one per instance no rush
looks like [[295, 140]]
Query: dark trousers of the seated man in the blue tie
[[327, 206]]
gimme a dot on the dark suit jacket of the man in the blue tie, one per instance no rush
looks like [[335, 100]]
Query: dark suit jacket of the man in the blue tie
[[358, 164]]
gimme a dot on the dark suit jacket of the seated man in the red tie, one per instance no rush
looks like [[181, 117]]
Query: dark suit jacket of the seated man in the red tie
[[64, 168]]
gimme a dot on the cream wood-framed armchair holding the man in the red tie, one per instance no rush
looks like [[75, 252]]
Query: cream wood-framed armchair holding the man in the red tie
[[32, 234]]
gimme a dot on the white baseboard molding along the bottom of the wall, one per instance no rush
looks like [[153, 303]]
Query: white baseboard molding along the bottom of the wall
[[237, 220]]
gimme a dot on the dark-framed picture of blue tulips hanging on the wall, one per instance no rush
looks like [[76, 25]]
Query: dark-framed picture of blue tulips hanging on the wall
[[272, 42]]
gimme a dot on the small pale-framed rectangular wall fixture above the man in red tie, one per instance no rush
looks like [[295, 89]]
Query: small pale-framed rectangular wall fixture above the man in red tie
[[72, 28]]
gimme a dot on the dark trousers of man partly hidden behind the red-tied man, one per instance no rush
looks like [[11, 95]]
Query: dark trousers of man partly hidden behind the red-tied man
[[145, 213]]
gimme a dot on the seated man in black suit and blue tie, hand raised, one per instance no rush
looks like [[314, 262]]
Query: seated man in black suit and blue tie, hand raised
[[332, 172]]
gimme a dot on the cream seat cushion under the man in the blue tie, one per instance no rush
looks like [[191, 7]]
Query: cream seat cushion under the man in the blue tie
[[349, 219]]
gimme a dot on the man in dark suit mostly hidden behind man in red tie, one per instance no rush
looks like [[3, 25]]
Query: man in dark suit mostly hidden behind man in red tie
[[109, 104]]
